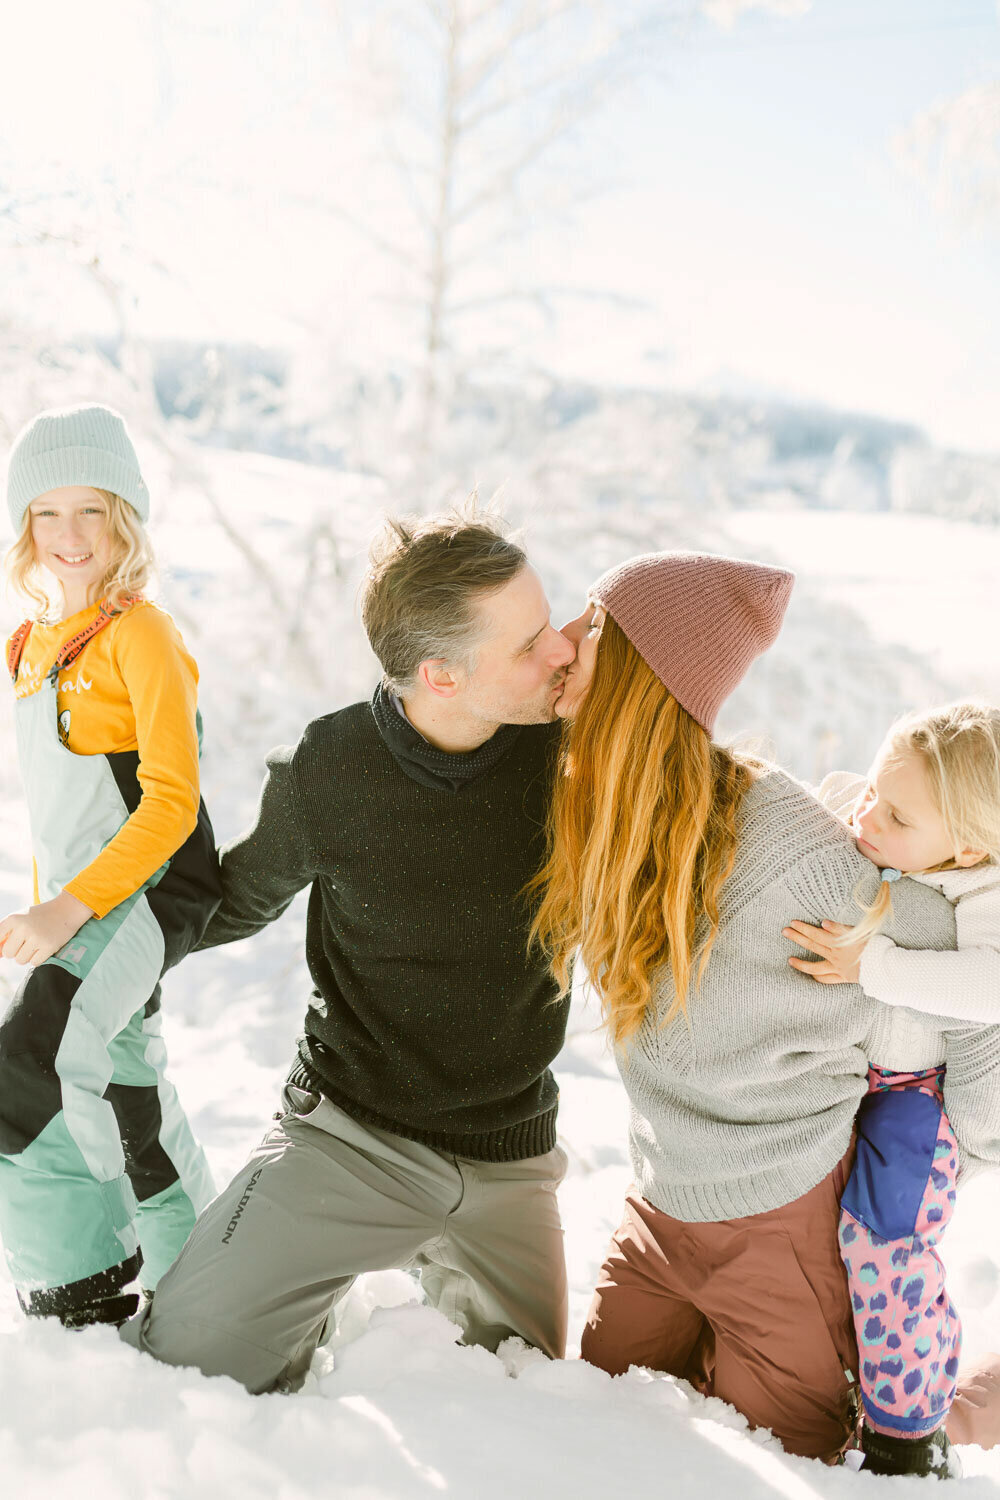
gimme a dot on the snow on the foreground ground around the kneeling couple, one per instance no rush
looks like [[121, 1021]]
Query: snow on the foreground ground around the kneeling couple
[[398, 1411]]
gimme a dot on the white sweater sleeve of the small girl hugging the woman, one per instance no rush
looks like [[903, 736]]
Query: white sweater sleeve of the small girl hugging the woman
[[965, 985]]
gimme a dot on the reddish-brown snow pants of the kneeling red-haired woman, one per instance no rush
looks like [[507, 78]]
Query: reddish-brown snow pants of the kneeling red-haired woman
[[753, 1310]]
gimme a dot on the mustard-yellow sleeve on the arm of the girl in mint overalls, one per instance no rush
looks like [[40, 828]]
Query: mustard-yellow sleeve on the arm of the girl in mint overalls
[[161, 682]]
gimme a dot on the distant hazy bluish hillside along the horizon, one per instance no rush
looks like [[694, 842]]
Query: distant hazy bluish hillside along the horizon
[[719, 452]]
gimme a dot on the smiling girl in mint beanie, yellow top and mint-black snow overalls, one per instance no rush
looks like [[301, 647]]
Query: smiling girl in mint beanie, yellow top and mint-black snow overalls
[[100, 1174]]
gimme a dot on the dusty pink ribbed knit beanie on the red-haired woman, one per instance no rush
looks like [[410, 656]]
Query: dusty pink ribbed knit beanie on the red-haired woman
[[698, 620]]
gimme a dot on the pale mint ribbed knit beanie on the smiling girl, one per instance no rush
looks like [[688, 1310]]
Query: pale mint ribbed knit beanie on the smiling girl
[[74, 446]]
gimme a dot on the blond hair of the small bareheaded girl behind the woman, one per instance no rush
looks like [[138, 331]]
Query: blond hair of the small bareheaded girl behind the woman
[[959, 748]]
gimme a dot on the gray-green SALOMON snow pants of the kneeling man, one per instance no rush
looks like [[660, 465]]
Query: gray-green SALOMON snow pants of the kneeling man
[[325, 1199]]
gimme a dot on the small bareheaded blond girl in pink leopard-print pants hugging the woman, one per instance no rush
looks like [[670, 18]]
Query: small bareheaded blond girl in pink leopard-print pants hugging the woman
[[930, 811]]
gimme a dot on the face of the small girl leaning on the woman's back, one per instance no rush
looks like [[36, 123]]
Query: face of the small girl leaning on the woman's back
[[897, 823]]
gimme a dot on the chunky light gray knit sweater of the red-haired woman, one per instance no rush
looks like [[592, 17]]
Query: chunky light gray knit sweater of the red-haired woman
[[750, 1102]]
